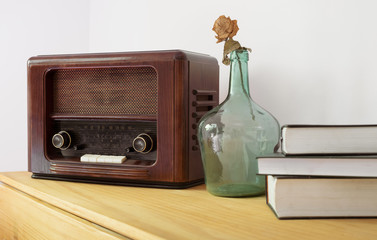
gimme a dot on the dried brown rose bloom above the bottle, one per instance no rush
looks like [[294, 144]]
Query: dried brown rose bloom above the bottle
[[225, 28]]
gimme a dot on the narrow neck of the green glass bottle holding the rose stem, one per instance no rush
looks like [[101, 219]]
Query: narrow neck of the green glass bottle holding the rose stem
[[239, 76]]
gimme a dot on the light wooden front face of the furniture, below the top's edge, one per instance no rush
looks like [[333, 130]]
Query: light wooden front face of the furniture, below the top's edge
[[25, 217]]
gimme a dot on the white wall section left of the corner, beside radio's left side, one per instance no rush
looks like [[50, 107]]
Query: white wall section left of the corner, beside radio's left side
[[29, 28]]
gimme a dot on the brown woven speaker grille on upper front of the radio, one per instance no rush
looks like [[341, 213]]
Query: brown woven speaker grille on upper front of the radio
[[104, 91]]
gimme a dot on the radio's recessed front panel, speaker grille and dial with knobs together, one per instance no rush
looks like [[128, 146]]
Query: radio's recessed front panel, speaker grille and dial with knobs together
[[77, 99]]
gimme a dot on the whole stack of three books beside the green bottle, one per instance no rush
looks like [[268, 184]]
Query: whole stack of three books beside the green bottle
[[323, 171]]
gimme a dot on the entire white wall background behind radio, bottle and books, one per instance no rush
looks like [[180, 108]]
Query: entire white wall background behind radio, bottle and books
[[312, 61]]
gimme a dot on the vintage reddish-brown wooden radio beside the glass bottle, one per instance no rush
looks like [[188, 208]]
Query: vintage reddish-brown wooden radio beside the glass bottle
[[119, 118]]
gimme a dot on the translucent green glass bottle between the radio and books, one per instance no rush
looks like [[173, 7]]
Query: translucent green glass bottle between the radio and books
[[233, 134]]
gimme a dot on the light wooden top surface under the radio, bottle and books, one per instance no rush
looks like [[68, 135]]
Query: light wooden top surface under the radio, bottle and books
[[148, 213]]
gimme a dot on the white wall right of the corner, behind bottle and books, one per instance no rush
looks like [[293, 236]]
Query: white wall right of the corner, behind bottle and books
[[312, 61]]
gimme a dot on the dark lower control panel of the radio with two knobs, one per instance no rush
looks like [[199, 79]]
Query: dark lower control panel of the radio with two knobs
[[77, 138]]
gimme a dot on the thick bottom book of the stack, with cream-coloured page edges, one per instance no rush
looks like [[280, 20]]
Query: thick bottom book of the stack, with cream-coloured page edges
[[292, 197]]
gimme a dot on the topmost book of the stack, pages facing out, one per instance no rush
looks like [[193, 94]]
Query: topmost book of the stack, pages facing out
[[329, 139]]
